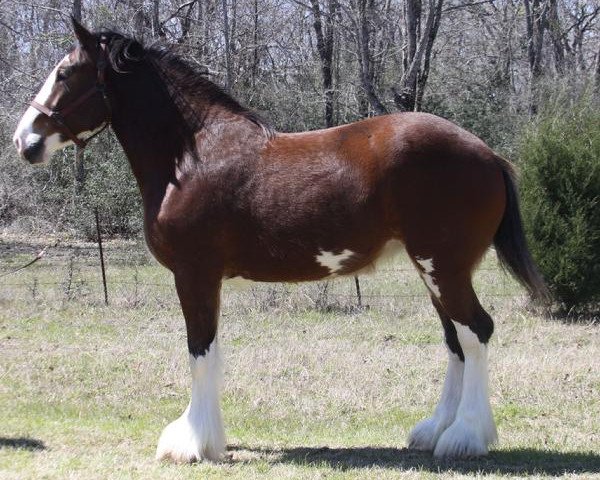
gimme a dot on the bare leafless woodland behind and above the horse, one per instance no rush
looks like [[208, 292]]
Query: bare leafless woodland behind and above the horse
[[492, 66]]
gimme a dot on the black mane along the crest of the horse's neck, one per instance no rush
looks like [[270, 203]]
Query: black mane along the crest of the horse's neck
[[182, 81]]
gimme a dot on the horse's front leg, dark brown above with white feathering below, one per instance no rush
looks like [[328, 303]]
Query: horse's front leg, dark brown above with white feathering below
[[198, 433]]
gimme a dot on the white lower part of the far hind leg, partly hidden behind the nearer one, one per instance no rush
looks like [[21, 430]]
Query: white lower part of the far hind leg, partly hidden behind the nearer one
[[427, 432]]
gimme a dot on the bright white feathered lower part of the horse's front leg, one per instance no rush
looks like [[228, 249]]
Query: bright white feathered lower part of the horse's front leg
[[198, 434]]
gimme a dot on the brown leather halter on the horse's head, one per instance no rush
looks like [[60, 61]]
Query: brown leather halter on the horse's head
[[59, 116]]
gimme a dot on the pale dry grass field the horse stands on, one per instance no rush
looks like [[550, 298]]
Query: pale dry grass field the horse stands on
[[314, 387]]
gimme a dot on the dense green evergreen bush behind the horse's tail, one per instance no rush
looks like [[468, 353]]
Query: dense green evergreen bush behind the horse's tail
[[560, 190]]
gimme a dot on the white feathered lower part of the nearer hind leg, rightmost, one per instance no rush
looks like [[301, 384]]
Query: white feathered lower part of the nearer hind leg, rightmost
[[474, 429]]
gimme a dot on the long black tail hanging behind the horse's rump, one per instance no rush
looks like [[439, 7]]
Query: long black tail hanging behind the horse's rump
[[510, 241]]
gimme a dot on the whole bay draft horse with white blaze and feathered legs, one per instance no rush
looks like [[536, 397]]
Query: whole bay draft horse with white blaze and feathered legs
[[226, 196]]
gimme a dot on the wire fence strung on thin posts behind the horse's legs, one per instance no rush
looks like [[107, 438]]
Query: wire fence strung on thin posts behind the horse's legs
[[70, 273]]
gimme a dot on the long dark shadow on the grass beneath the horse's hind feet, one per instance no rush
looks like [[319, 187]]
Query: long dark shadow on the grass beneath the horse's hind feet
[[512, 462]]
